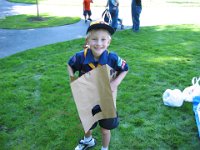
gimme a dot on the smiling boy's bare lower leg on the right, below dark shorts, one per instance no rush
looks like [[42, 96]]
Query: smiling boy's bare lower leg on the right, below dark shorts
[[105, 138]]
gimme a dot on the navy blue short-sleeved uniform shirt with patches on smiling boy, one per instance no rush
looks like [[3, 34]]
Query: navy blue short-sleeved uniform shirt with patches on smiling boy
[[80, 63]]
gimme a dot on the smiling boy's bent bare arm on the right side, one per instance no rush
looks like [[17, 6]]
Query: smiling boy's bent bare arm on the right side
[[116, 82]]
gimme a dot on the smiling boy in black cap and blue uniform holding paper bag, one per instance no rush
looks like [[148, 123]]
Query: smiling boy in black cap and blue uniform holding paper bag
[[98, 40]]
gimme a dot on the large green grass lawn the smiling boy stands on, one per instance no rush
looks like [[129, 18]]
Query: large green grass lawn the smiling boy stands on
[[37, 110]]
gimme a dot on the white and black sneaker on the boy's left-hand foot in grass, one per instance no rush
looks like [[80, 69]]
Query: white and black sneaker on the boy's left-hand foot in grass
[[83, 145]]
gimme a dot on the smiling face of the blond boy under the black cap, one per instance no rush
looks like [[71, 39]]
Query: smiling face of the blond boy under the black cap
[[99, 40]]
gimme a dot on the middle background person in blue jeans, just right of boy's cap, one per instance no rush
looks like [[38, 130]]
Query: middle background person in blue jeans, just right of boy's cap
[[113, 6]]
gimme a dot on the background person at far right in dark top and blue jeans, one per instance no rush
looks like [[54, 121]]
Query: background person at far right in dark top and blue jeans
[[136, 8]]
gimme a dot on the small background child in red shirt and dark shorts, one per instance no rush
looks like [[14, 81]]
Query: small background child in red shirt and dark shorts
[[87, 10]]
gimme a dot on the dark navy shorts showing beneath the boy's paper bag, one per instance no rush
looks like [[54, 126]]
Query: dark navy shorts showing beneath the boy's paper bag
[[108, 124]]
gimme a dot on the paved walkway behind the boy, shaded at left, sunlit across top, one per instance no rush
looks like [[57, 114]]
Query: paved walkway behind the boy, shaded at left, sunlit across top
[[14, 41]]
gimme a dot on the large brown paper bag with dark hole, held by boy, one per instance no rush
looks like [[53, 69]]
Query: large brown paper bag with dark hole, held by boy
[[93, 96]]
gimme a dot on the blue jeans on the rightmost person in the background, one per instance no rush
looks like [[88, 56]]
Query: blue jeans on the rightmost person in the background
[[136, 10]]
